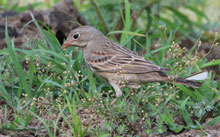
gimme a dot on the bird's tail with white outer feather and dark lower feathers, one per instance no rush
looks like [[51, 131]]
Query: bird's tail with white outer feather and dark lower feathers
[[192, 81]]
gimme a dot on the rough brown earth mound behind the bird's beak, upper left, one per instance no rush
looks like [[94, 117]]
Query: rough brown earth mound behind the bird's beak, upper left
[[59, 19]]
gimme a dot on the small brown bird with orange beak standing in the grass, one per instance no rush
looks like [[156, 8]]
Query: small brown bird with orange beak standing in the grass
[[119, 65]]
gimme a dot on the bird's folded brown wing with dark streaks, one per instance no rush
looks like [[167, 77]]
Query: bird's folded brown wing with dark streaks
[[119, 59]]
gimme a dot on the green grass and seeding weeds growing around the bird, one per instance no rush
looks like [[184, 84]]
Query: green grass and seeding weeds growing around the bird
[[56, 89]]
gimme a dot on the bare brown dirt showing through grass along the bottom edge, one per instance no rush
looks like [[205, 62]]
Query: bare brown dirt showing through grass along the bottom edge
[[88, 118]]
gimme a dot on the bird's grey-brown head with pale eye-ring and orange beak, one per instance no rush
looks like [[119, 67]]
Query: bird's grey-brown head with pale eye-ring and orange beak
[[80, 37]]
